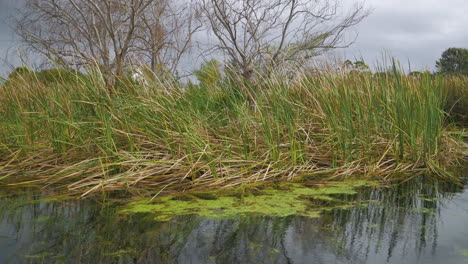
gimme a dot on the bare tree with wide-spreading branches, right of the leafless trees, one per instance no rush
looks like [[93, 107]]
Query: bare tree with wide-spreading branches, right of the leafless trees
[[267, 33]]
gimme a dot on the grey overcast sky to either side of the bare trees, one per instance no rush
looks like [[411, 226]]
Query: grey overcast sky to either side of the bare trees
[[411, 30]]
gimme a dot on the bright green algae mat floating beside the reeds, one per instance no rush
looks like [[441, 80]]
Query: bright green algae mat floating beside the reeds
[[284, 200]]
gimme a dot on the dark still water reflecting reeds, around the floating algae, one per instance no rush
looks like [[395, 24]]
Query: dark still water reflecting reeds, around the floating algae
[[410, 223]]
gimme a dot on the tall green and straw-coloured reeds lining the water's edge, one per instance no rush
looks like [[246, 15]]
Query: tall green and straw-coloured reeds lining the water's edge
[[164, 136]]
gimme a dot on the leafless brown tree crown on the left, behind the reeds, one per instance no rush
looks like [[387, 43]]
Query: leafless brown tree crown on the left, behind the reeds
[[107, 32]]
